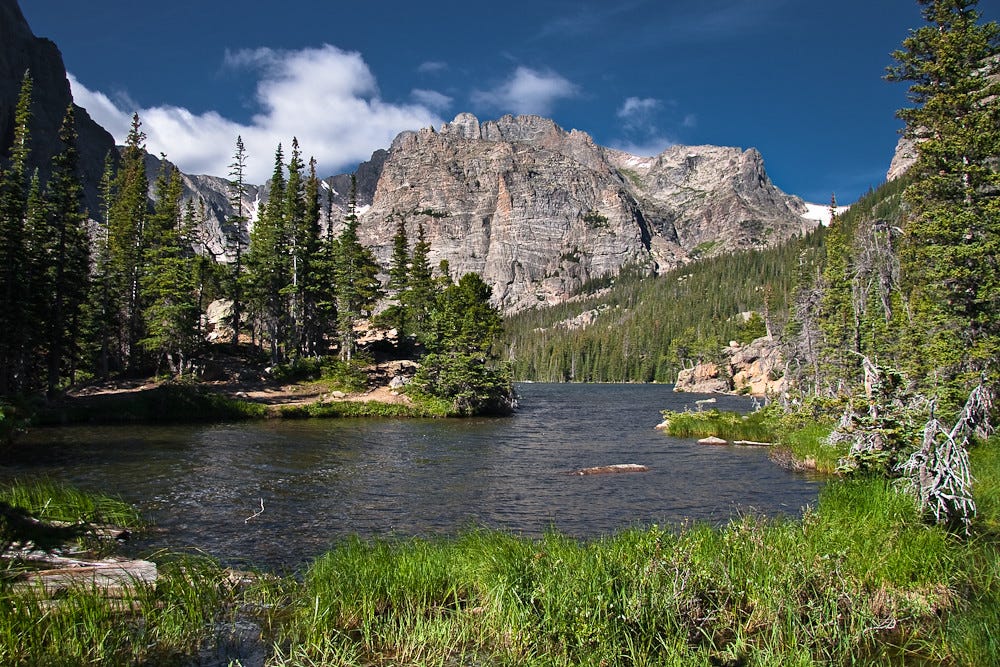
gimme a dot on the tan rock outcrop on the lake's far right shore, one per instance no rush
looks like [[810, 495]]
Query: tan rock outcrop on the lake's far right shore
[[755, 369]]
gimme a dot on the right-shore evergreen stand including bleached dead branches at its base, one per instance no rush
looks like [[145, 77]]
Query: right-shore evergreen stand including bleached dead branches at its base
[[900, 330]]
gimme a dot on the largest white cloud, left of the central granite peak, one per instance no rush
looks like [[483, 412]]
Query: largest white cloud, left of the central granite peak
[[326, 97]]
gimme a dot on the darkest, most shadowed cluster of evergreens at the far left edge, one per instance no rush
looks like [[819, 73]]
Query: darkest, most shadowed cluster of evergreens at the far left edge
[[44, 260]]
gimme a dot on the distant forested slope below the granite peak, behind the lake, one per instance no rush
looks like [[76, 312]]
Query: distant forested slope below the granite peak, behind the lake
[[638, 329]]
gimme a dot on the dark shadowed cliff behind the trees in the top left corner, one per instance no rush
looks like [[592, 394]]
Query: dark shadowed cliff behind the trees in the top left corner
[[20, 50]]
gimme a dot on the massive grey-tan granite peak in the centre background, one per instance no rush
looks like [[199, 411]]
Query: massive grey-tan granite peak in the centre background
[[538, 210]]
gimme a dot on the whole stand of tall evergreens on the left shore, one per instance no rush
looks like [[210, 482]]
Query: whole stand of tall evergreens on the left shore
[[127, 297]]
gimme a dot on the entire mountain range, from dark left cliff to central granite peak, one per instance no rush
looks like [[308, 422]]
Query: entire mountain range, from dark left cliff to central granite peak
[[538, 211]]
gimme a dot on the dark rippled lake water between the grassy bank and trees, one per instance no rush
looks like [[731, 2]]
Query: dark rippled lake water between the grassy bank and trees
[[321, 480]]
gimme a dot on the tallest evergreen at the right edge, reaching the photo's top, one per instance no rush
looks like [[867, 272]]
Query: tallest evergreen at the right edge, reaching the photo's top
[[952, 235]]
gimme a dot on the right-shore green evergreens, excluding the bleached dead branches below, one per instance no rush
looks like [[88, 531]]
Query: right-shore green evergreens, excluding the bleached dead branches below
[[910, 272]]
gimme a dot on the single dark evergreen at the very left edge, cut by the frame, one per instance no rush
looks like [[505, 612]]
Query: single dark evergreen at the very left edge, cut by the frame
[[14, 325]]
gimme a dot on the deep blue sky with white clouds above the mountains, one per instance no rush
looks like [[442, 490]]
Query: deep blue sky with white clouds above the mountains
[[800, 80]]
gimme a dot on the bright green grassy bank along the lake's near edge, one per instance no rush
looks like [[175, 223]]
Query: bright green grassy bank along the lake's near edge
[[859, 579]]
